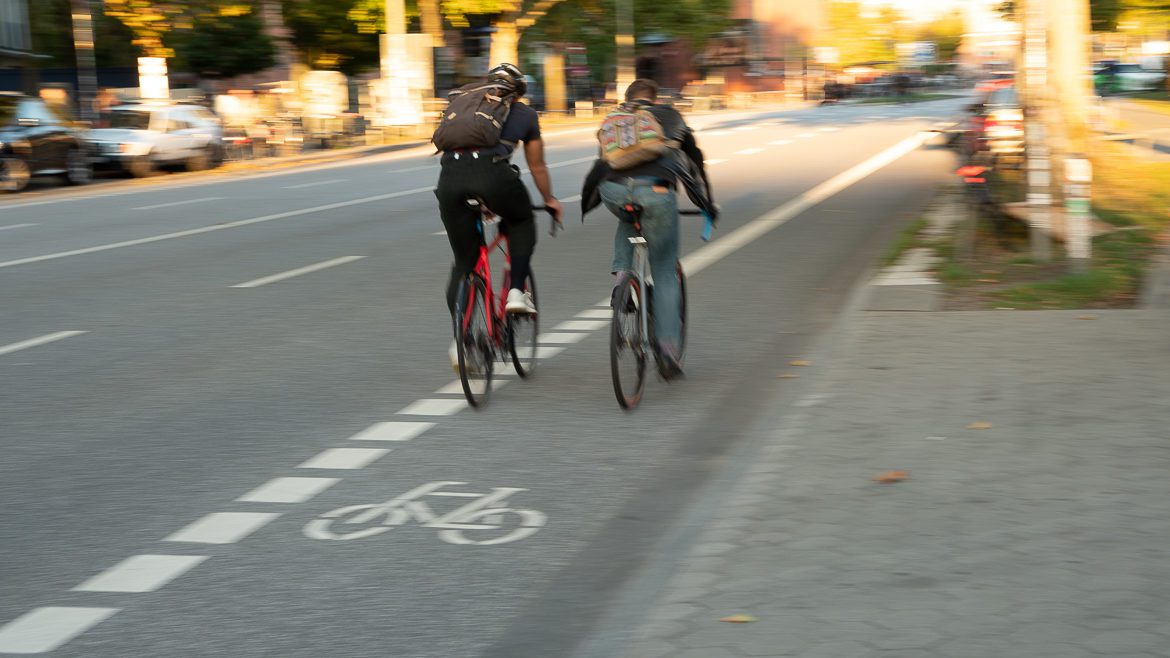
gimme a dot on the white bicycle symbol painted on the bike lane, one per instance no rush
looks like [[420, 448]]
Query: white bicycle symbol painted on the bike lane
[[484, 522]]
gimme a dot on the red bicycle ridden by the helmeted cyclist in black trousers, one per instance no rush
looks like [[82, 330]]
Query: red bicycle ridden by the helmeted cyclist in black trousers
[[484, 332]]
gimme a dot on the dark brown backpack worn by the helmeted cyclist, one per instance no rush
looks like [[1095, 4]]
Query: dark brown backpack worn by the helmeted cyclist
[[474, 116]]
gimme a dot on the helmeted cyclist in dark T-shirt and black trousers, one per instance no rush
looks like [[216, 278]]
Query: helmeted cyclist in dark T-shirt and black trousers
[[488, 173]]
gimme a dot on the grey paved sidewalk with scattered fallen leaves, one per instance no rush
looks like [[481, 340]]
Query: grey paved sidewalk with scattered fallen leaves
[[1047, 534]]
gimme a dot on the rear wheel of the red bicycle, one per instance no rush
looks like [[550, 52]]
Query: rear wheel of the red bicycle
[[473, 340]]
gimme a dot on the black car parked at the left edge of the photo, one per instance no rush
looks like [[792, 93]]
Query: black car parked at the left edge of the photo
[[37, 141]]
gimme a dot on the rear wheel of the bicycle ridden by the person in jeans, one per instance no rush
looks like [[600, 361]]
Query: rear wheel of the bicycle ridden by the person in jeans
[[628, 347]]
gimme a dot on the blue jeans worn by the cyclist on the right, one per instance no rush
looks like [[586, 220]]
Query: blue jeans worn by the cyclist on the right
[[660, 228]]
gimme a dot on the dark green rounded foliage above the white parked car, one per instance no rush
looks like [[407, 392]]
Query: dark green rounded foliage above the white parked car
[[219, 46]]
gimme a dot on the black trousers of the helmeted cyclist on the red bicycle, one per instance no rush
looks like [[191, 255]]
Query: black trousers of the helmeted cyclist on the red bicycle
[[500, 186]]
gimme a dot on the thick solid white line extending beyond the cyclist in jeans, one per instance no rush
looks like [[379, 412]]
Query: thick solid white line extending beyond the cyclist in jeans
[[754, 230]]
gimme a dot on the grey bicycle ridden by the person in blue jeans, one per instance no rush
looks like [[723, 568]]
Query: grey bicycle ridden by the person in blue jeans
[[632, 340]]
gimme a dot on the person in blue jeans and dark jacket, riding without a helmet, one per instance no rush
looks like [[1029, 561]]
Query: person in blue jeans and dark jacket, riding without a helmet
[[652, 186]]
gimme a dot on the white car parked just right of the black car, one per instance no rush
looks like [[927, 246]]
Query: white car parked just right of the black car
[[143, 138]]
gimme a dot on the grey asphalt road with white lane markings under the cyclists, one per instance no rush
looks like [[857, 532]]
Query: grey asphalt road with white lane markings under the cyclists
[[175, 414]]
